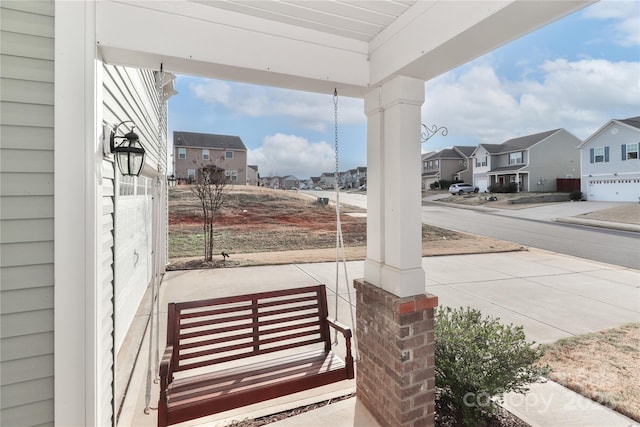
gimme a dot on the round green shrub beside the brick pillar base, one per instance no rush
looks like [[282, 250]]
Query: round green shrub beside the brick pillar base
[[477, 360]]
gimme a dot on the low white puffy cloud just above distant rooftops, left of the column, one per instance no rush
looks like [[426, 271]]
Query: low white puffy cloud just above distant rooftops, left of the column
[[292, 155]]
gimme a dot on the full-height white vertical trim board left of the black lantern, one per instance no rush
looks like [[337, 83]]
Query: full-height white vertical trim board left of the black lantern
[[77, 156]]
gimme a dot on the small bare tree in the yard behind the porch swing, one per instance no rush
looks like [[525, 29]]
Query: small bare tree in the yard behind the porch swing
[[210, 188]]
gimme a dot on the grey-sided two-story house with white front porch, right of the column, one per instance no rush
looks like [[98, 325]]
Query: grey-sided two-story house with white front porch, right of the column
[[533, 162]]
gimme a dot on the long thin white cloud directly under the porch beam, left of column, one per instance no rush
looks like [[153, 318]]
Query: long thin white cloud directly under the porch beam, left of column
[[307, 110]]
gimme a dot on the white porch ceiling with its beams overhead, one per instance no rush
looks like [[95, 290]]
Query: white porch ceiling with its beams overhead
[[314, 45]]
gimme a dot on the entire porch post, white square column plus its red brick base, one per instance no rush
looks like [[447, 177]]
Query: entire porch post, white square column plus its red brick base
[[394, 315]]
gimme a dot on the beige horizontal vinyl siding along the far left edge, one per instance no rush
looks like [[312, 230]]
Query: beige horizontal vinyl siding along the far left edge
[[26, 212]]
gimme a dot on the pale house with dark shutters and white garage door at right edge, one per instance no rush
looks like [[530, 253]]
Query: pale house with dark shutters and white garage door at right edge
[[609, 162]]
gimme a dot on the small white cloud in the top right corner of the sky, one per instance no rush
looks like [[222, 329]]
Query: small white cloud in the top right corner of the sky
[[625, 20]]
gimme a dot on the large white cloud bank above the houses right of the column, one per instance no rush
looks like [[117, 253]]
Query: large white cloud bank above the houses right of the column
[[579, 96]]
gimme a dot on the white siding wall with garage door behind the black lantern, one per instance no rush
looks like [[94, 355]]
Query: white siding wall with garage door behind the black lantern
[[129, 94]]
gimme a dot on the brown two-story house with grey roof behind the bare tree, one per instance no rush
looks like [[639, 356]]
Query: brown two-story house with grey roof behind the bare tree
[[194, 151]]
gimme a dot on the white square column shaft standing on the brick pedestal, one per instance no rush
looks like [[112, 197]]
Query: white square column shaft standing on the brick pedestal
[[394, 238]]
